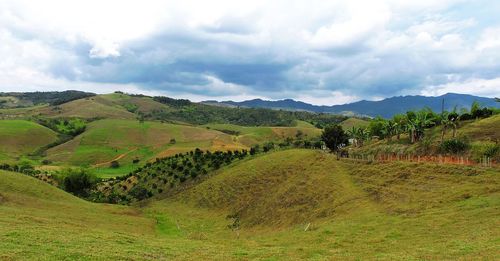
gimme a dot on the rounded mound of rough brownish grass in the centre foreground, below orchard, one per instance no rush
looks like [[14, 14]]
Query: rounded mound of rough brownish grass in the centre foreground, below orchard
[[289, 187]]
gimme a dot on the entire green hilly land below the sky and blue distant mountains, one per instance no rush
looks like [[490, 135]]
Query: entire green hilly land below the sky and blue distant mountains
[[133, 177]]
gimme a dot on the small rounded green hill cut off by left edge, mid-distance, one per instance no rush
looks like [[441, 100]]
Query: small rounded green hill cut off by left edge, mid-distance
[[19, 137]]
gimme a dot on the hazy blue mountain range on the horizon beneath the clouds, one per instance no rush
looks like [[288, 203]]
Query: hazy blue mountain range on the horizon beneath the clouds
[[385, 108]]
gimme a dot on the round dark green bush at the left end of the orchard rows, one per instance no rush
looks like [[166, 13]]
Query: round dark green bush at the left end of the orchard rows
[[79, 181]]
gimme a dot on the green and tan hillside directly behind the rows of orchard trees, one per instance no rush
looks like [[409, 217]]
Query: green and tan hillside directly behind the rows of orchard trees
[[125, 140]]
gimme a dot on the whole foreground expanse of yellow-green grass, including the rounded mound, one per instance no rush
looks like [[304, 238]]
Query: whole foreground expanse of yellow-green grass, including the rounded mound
[[351, 211]]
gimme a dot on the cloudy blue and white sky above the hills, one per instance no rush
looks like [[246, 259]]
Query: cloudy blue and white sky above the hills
[[317, 51]]
